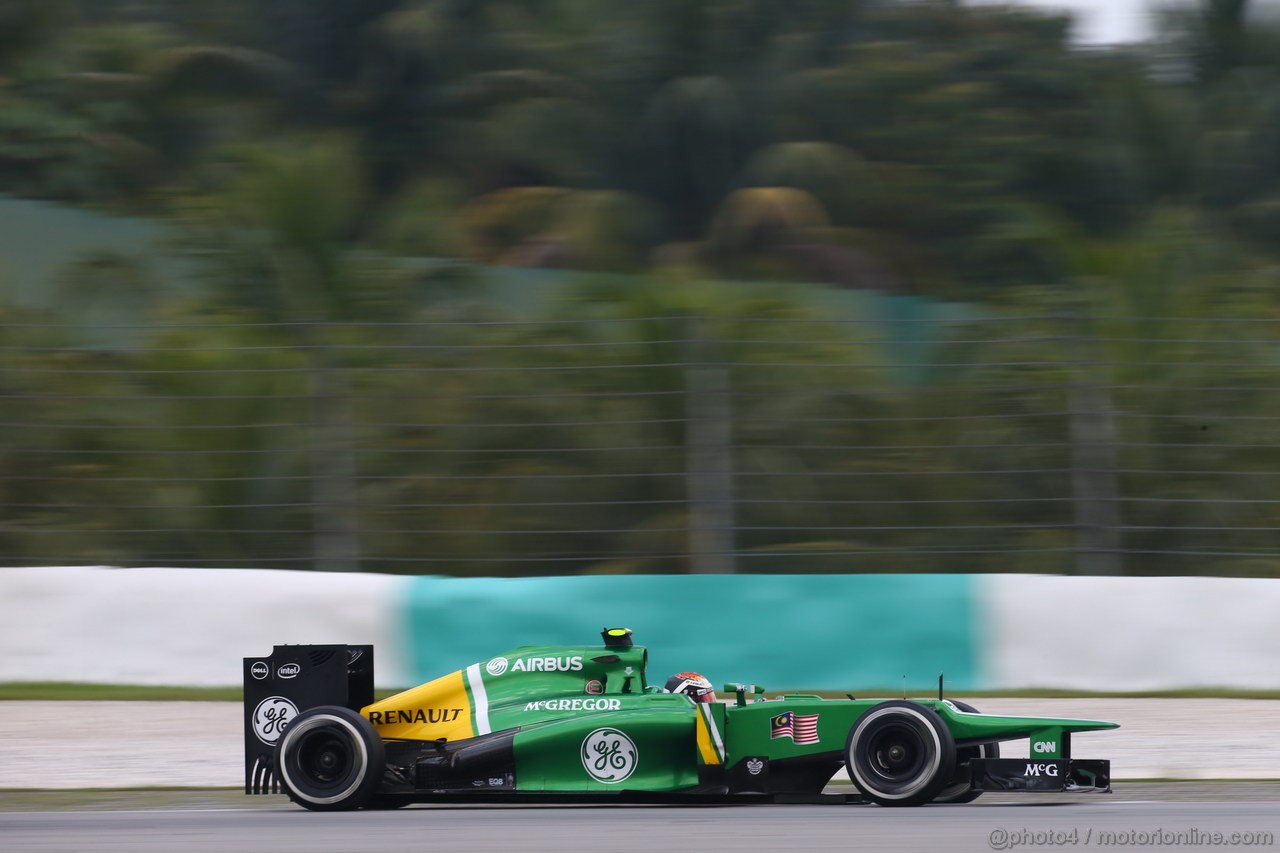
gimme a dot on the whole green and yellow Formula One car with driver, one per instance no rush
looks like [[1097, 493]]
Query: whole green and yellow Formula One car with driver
[[583, 723]]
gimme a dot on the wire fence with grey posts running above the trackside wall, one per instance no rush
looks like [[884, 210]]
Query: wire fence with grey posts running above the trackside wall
[[647, 444]]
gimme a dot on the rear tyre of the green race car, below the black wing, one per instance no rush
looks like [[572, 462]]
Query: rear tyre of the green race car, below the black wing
[[330, 759]]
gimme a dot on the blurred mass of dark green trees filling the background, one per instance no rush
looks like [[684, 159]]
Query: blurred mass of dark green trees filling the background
[[304, 149]]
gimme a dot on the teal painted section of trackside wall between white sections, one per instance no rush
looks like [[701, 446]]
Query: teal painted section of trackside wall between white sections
[[820, 632]]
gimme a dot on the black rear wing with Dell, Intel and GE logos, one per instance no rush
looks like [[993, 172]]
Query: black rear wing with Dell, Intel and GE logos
[[291, 681]]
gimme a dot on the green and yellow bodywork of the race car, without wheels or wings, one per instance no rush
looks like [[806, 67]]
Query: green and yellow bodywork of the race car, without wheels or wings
[[586, 719]]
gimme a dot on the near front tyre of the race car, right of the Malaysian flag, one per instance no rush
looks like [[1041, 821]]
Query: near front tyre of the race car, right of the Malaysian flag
[[900, 754]]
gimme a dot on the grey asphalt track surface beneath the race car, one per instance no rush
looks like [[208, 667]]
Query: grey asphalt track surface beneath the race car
[[1164, 818]]
